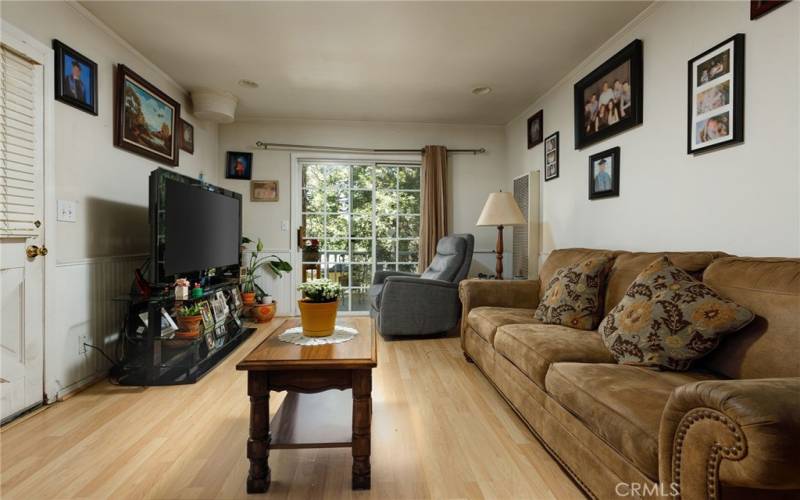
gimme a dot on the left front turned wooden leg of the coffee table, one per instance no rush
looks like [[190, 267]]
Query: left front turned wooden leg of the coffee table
[[258, 444]]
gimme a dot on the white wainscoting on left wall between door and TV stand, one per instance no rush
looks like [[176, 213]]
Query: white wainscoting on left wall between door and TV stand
[[85, 311]]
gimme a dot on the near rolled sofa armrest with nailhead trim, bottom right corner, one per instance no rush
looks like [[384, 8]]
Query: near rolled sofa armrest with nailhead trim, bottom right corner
[[743, 433]]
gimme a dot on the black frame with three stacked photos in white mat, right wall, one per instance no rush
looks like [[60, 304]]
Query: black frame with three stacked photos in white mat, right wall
[[728, 96]]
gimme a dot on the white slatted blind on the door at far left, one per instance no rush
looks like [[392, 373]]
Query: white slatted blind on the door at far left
[[20, 145]]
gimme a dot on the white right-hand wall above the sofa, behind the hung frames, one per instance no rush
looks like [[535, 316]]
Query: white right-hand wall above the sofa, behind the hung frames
[[742, 199]]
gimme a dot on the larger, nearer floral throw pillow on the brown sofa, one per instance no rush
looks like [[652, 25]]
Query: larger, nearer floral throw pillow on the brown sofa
[[667, 319]]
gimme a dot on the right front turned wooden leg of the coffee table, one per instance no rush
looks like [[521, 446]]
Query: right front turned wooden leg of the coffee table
[[362, 422]]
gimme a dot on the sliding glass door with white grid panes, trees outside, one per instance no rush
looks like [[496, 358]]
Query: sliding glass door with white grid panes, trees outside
[[358, 217]]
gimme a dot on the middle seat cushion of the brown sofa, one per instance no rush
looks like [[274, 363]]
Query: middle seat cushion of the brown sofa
[[533, 348]]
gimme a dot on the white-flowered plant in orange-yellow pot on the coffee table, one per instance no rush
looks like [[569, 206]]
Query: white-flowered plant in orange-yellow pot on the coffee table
[[318, 307]]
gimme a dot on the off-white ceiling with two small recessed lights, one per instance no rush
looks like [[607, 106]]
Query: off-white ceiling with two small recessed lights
[[383, 61]]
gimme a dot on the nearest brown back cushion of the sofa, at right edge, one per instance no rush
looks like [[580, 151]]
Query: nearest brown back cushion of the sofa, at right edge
[[770, 345]]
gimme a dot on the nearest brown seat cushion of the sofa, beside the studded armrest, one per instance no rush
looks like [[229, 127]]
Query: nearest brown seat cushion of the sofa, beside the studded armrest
[[620, 404]]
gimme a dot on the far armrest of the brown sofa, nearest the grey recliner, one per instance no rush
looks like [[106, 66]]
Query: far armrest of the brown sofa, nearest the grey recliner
[[497, 293]]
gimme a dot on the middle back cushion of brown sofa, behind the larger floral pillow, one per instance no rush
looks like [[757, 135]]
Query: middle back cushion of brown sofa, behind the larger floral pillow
[[627, 267]]
